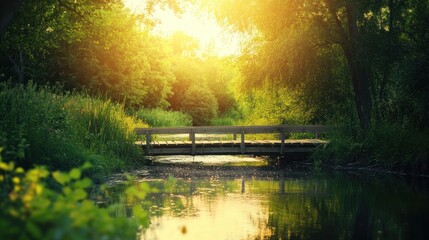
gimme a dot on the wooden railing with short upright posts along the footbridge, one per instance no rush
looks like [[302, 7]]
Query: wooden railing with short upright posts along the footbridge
[[281, 130]]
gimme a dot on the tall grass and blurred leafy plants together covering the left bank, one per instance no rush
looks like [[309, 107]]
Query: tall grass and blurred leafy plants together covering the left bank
[[53, 146]]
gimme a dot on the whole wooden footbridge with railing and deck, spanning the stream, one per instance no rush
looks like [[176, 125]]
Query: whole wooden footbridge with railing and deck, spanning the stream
[[223, 140]]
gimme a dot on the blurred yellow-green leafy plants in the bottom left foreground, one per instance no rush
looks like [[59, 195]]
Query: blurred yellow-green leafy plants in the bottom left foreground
[[31, 209]]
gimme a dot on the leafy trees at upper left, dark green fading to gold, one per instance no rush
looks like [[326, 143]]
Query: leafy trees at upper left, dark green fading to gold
[[99, 46]]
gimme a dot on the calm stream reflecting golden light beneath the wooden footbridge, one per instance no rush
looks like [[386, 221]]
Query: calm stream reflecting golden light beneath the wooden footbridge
[[246, 198]]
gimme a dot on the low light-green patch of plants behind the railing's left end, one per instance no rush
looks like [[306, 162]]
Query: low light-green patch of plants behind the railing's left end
[[163, 118]]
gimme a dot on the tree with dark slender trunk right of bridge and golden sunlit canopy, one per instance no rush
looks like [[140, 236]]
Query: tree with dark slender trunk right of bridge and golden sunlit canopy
[[299, 29]]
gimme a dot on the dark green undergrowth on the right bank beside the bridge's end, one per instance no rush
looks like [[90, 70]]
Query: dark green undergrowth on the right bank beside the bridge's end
[[386, 146]]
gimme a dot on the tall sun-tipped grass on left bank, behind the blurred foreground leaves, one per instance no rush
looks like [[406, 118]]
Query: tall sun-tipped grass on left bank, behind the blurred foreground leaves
[[42, 126]]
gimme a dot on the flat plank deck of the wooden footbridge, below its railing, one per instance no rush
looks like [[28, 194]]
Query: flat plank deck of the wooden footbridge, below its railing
[[256, 147]]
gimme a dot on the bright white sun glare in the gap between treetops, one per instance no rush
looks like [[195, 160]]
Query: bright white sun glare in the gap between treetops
[[212, 37]]
